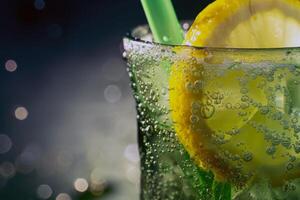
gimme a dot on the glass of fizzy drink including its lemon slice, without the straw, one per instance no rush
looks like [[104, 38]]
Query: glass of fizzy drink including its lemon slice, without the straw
[[219, 117]]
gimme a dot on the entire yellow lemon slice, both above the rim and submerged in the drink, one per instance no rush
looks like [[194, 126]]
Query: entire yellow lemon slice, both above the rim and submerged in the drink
[[230, 121]]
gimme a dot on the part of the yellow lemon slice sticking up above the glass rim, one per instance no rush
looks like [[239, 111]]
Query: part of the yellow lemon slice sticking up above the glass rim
[[247, 24]]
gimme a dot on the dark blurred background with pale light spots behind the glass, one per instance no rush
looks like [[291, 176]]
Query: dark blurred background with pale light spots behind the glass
[[71, 80]]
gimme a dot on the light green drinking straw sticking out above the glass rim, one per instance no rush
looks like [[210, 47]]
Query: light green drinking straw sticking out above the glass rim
[[163, 21]]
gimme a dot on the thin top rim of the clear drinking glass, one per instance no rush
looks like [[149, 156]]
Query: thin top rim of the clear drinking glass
[[130, 36]]
